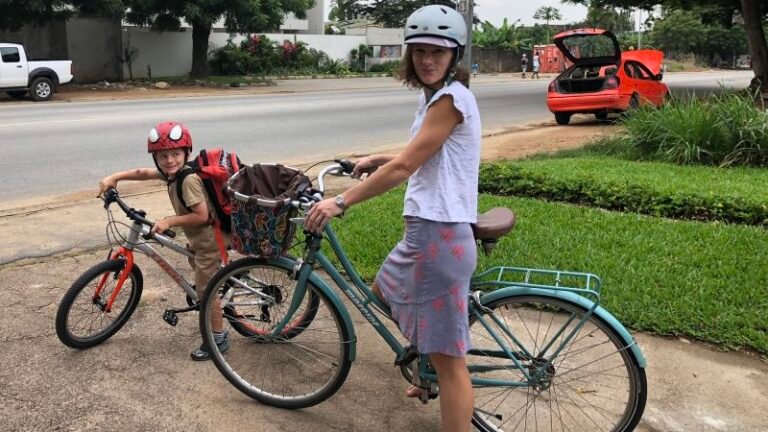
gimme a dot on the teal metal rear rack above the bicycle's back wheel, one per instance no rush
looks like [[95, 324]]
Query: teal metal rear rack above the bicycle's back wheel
[[585, 284]]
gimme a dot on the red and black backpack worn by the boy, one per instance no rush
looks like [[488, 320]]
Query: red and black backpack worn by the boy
[[214, 167]]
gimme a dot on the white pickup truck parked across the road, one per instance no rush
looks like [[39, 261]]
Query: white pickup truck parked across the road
[[39, 78]]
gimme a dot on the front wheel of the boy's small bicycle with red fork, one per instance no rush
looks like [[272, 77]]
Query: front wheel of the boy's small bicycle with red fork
[[81, 320]]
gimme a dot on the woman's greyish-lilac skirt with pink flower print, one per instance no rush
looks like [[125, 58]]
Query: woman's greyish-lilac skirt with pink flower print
[[425, 280]]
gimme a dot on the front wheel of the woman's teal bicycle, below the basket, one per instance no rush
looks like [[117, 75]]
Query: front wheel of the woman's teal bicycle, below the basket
[[302, 365]]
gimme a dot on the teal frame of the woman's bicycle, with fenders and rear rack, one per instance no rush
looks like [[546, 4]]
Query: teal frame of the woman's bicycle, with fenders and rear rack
[[585, 294]]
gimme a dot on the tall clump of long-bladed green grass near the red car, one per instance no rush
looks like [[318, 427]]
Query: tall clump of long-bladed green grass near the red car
[[723, 130]]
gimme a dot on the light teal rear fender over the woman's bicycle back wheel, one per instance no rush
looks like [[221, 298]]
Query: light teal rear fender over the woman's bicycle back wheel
[[601, 312]]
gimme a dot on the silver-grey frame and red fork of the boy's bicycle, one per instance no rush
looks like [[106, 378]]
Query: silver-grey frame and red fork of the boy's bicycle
[[126, 251]]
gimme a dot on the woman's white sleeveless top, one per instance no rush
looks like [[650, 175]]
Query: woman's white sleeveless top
[[444, 189]]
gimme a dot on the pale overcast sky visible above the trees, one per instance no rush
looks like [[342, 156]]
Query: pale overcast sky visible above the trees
[[496, 10]]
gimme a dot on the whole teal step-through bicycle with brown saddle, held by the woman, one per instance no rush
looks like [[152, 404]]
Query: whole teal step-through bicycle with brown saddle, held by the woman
[[545, 355]]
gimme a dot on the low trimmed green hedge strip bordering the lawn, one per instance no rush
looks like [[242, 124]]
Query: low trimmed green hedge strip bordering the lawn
[[698, 193]]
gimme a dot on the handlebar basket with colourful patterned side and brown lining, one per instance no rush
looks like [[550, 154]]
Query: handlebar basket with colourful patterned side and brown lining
[[261, 208]]
